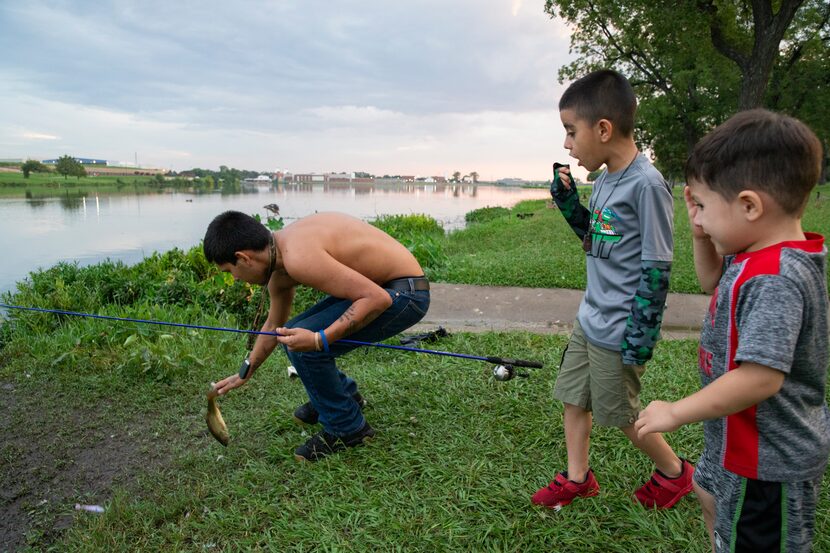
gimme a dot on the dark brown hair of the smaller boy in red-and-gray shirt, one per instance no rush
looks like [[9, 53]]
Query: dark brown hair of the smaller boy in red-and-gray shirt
[[762, 151]]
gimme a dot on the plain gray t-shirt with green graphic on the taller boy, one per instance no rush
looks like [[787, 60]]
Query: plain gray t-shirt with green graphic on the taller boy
[[631, 221]]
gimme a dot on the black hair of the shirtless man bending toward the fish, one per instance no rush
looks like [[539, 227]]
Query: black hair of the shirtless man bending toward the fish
[[230, 232]]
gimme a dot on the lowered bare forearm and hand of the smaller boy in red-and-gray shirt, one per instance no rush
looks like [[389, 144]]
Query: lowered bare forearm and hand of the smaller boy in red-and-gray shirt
[[740, 388]]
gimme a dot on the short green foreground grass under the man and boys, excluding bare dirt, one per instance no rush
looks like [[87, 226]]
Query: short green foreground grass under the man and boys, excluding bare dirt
[[452, 469]]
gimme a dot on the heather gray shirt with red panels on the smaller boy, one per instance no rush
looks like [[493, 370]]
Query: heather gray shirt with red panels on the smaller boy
[[770, 308]]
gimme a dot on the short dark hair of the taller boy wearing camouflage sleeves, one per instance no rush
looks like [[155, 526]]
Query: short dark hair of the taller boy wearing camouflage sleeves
[[603, 94]]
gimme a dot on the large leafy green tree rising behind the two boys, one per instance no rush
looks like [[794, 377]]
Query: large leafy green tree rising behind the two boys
[[695, 62]]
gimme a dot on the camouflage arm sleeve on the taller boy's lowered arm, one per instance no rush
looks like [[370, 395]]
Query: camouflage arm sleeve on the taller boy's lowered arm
[[642, 330]]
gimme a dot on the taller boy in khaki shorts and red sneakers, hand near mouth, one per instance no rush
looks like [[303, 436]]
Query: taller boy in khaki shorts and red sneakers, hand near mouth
[[626, 233]]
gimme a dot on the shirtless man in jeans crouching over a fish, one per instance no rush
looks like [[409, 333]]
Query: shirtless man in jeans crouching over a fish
[[375, 288]]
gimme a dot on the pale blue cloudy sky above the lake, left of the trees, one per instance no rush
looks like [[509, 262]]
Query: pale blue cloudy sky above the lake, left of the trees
[[424, 87]]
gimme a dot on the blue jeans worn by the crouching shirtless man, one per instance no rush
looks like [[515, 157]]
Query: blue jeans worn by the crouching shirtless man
[[330, 390]]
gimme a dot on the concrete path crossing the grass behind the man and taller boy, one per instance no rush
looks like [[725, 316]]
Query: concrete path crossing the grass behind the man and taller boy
[[467, 308]]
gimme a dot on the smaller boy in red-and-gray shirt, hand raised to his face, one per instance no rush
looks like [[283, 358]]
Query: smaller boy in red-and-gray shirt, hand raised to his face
[[763, 347]]
